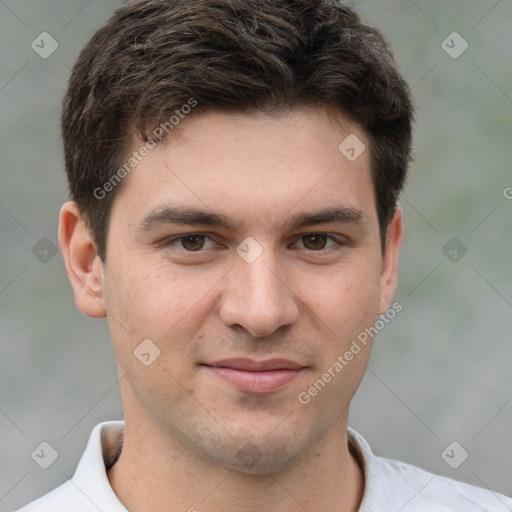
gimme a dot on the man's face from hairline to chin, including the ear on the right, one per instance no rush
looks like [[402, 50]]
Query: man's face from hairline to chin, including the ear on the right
[[284, 263]]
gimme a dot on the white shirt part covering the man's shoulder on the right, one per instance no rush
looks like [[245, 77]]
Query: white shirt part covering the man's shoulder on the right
[[398, 485]]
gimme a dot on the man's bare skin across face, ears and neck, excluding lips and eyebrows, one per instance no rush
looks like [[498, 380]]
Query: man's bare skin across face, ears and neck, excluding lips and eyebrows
[[303, 299]]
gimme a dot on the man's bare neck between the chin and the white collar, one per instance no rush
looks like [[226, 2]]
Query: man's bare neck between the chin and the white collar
[[156, 473]]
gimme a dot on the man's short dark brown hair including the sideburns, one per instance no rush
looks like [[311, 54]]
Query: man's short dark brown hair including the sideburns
[[153, 56]]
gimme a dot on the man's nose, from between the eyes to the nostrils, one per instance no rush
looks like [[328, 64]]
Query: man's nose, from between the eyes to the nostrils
[[257, 297]]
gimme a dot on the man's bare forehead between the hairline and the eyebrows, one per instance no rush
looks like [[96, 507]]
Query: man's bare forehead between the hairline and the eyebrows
[[253, 167]]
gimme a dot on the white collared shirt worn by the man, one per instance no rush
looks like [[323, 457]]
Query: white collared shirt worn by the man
[[390, 486]]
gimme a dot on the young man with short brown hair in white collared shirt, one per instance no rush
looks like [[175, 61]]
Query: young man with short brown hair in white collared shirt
[[234, 168]]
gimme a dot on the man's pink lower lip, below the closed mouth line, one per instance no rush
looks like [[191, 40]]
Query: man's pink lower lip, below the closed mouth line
[[256, 382]]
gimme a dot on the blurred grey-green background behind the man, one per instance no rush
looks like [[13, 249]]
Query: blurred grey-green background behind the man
[[440, 372]]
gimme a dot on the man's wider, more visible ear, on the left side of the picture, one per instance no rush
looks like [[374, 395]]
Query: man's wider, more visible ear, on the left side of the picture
[[83, 265]]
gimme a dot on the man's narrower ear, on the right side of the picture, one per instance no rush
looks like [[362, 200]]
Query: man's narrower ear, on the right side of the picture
[[389, 272]]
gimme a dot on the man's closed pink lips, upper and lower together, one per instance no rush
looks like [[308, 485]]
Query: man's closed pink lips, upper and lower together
[[257, 377]]
